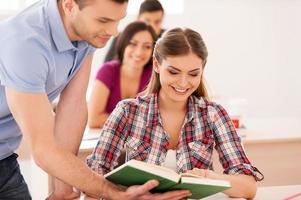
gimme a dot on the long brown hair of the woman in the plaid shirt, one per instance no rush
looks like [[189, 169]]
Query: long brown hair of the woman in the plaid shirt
[[177, 42]]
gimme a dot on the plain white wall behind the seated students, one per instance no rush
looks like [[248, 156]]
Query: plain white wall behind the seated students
[[254, 51]]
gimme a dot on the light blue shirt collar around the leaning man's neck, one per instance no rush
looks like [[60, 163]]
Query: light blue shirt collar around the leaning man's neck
[[57, 30]]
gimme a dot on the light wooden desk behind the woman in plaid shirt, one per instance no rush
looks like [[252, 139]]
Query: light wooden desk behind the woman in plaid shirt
[[273, 146]]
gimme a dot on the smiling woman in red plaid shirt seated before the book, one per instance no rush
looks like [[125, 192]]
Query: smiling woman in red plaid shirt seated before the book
[[175, 117]]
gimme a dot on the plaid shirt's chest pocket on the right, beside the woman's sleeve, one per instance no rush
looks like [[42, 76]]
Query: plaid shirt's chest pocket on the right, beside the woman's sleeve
[[201, 154]]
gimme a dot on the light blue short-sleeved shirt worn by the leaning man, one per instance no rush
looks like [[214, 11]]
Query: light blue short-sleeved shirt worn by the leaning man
[[36, 56]]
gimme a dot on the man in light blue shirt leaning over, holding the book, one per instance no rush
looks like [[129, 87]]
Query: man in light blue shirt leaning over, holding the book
[[46, 52]]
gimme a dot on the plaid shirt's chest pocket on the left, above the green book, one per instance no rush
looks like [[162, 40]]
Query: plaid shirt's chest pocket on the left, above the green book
[[137, 149]]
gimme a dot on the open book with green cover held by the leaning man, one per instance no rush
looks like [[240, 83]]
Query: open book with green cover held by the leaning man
[[136, 172]]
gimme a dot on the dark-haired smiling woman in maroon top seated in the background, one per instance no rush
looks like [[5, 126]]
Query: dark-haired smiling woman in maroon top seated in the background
[[125, 77]]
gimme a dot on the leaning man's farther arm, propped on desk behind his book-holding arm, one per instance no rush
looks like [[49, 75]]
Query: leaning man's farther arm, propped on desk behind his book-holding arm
[[70, 121]]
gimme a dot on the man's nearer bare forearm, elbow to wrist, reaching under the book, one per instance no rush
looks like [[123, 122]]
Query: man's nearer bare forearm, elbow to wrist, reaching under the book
[[80, 176]]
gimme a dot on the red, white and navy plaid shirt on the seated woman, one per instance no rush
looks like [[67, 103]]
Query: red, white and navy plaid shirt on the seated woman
[[135, 125]]
